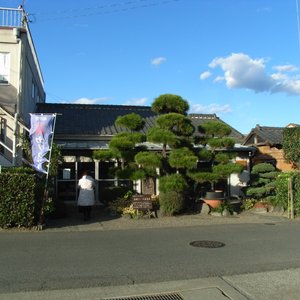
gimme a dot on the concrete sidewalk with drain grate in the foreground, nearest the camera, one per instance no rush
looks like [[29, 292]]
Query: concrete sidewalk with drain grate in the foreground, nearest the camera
[[273, 285]]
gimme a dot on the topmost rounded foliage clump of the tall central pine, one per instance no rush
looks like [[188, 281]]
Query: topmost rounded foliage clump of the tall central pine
[[168, 103]]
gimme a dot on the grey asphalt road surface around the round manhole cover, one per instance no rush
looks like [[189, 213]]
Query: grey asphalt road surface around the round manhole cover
[[65, 260]]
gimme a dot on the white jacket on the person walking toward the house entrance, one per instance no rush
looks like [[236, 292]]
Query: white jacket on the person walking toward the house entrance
[[86, 193]]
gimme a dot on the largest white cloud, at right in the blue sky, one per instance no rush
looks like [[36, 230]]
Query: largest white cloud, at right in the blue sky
[[243, 72]]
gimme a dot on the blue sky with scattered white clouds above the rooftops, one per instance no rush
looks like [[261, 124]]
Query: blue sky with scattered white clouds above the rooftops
[[239, 59]]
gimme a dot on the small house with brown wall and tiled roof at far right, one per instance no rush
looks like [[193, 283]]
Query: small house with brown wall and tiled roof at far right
[[268, 141]]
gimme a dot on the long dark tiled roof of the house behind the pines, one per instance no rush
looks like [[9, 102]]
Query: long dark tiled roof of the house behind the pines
[[87, 119]]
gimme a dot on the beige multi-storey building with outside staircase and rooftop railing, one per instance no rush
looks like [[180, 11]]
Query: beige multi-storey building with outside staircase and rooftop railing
[[21, 83]]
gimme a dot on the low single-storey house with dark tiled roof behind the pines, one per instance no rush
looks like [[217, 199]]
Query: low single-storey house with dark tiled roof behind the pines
[[81, 129]]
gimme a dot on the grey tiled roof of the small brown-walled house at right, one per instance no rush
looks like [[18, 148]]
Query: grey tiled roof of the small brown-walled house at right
[[264, 135]]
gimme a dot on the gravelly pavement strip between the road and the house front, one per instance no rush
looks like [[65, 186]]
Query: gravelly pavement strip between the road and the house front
[[101, 221]]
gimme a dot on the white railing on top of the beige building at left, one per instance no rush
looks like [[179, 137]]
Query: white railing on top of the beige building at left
[[12, 17]]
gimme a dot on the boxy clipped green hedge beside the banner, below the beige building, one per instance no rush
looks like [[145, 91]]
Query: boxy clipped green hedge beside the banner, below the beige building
[[18, 205]]
